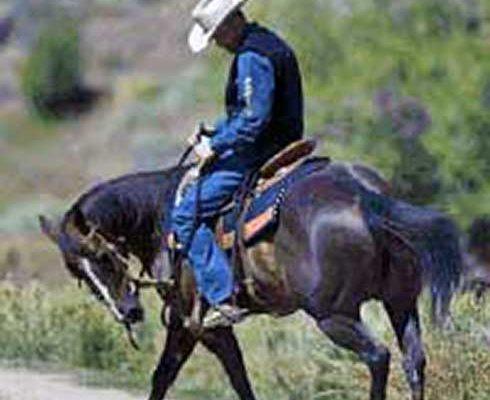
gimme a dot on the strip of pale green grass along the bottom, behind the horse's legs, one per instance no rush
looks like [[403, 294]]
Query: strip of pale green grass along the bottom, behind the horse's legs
[[288, 358]]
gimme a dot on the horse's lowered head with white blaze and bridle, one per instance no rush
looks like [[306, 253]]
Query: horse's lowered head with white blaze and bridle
[[98, 263]]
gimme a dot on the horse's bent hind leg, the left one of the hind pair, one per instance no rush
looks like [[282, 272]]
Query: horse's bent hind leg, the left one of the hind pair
[[353, 335]]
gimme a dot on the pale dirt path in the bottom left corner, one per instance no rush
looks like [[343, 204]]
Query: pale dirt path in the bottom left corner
[[21, 384]]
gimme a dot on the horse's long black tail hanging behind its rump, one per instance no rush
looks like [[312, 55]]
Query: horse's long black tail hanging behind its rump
[[435, 240]]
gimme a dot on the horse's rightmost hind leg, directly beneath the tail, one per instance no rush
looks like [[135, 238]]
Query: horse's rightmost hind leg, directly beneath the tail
[[407, 328]]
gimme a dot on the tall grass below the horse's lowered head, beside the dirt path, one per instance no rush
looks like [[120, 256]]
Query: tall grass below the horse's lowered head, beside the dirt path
[[68, 327]]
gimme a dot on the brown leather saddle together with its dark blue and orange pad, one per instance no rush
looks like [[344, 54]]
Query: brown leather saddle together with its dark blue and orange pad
[[258, 217]]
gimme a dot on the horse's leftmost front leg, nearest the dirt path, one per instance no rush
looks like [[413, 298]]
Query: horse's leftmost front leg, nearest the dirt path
[[179, 345]]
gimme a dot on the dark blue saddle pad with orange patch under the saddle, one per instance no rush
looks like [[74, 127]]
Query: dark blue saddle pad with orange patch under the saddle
[[262, 211]]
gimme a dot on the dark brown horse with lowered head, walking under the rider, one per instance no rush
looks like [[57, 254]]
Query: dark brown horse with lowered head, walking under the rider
[[340, 242]]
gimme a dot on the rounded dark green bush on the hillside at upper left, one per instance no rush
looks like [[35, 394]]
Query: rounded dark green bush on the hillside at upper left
[[53, 70]]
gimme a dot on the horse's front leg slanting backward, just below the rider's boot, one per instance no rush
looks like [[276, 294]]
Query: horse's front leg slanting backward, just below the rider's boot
[[223, 343]]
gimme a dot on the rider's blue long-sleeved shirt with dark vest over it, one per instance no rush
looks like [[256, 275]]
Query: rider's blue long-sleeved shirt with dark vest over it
[[264, 100]]
